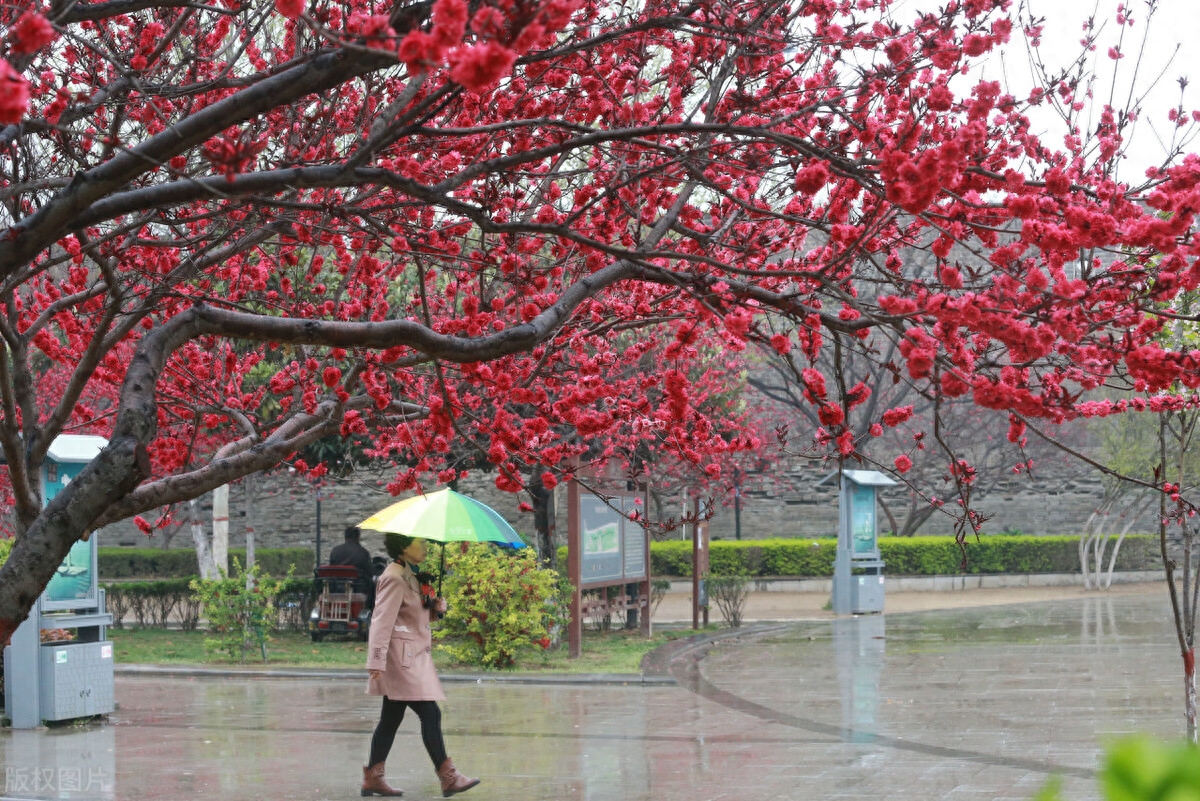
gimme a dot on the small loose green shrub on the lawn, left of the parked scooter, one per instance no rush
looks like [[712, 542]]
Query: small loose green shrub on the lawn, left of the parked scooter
[[241, 610]]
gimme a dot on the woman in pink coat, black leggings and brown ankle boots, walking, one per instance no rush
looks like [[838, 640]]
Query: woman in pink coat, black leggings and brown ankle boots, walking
[[401, 670]]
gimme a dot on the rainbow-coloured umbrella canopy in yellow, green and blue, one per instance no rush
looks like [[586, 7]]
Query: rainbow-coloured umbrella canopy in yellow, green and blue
[[445, 516]]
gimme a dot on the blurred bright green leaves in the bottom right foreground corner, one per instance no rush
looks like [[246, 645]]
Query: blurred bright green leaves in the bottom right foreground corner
[[1138, 769]]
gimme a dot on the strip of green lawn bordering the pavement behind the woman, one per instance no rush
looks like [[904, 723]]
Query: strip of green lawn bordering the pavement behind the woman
[[616, 652]]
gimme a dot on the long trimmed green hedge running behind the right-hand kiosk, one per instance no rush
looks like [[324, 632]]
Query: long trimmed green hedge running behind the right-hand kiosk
[[903, 556]]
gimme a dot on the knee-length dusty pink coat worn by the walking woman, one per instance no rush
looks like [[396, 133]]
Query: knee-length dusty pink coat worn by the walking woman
[[401, 642]]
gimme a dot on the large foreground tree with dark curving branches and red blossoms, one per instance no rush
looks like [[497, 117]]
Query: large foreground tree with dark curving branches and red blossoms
[[233, 230]]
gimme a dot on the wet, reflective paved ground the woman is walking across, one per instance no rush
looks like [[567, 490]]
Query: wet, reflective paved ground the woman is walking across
[[967, 704]]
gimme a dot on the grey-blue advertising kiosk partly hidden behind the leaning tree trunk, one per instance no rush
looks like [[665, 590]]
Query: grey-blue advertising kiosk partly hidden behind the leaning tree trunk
[[64, 679]]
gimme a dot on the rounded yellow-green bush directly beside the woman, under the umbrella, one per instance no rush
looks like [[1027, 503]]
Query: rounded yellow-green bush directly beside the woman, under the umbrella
[[501, 605]]
